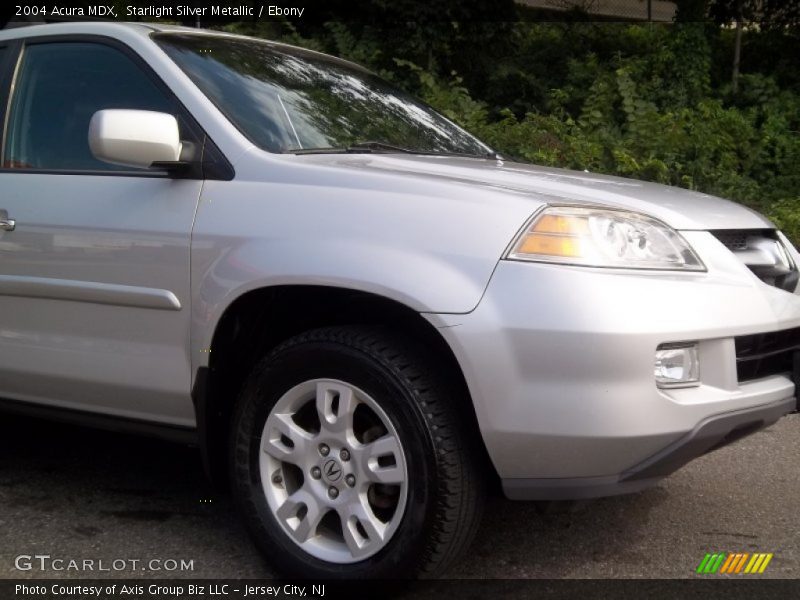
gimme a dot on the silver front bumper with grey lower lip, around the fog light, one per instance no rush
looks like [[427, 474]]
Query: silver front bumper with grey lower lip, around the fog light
[[559, 362]]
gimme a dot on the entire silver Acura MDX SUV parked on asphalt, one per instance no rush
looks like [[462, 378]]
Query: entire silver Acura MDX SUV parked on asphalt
[[359, 311]]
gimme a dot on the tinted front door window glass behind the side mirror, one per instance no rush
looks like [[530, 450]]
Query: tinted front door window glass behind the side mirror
[[57, 90]]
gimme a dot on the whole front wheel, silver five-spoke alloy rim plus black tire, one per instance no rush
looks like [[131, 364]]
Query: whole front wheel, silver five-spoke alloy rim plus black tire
[[350, 459]]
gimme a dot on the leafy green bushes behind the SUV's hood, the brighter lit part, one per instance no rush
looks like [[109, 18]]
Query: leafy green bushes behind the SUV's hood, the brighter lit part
[[653, 115]]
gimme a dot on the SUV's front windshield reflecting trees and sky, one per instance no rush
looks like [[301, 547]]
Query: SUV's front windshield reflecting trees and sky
[[286, 99]]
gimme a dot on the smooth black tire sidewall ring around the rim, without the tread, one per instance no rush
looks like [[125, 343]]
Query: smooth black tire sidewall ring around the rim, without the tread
[[271, 379]]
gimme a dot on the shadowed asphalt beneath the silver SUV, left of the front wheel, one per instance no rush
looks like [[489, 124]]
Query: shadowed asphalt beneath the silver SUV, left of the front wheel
[[81, 493]]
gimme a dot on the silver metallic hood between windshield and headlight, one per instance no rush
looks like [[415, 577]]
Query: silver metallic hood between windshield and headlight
[[677, 207]]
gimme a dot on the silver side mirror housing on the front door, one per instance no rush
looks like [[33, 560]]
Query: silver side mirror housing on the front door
[[135, 138]]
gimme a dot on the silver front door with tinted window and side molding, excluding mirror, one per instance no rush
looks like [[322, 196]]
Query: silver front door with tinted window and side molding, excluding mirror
[[94, 270]]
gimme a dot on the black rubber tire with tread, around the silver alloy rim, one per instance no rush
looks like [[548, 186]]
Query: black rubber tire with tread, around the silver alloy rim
[[445, 483]]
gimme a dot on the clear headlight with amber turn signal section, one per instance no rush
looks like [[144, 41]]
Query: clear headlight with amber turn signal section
[[598, 237]]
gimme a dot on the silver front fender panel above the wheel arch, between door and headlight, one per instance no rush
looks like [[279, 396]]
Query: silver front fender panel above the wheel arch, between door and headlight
[[426, 253]]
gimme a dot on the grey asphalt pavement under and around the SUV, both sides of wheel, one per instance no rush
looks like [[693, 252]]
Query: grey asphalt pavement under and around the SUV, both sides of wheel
[[75, 494]]
